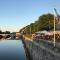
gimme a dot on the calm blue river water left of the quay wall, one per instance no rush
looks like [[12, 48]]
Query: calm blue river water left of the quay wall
[[12, 50]]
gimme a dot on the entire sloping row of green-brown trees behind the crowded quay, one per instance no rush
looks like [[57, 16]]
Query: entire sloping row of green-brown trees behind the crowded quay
[[44, 22]]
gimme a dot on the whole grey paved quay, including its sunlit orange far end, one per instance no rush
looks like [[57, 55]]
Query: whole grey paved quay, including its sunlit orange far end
[[42, 50]]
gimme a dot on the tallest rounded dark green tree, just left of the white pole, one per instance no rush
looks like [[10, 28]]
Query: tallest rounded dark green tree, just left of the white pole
[[44, 23]]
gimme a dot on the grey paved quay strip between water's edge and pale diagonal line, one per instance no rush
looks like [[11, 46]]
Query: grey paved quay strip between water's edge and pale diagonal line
[[40, 52]]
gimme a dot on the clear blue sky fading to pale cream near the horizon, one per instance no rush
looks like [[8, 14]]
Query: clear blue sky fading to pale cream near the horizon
[[15, 14]]
